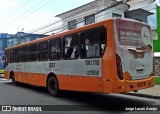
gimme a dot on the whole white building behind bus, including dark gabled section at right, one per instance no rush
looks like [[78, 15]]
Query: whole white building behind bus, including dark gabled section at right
[[87, 14]]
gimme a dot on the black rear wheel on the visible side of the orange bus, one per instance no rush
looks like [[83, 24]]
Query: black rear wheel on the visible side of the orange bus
[[53, 86]]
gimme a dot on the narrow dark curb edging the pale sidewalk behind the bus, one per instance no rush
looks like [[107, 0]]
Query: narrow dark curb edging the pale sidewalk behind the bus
[[143, 95]]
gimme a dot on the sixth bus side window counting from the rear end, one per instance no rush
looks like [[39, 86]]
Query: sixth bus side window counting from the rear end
[[24, 54]]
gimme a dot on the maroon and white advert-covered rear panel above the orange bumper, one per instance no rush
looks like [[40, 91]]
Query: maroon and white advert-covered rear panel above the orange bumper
[[134, 46]]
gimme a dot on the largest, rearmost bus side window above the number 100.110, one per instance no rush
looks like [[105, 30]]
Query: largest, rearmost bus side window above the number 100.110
[[93, 42]]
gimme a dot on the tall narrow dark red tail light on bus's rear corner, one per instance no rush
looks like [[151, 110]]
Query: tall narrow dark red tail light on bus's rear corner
[[119, 67]]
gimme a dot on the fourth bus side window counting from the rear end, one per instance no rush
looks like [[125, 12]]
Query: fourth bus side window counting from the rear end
[[43, 51]]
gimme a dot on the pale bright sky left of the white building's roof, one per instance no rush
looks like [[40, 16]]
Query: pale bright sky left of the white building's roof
[[27, 15]]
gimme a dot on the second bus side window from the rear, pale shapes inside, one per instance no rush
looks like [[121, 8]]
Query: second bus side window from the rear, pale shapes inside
[[70, 44]]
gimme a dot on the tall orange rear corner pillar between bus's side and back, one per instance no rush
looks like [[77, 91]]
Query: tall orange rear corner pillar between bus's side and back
[[109, 65]]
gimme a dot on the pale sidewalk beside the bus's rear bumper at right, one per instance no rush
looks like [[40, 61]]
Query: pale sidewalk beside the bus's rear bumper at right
[[153, 92]]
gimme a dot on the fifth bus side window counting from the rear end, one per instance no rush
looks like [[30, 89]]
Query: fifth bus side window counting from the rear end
[[33, 52]]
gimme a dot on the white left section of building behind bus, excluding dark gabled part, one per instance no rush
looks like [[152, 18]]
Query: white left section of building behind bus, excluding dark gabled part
[[91, 13]]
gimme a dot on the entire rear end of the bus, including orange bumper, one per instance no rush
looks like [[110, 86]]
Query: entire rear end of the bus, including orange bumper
[[141, 60]]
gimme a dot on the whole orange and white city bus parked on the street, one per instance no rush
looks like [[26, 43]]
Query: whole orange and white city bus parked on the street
[[112, 56]]
